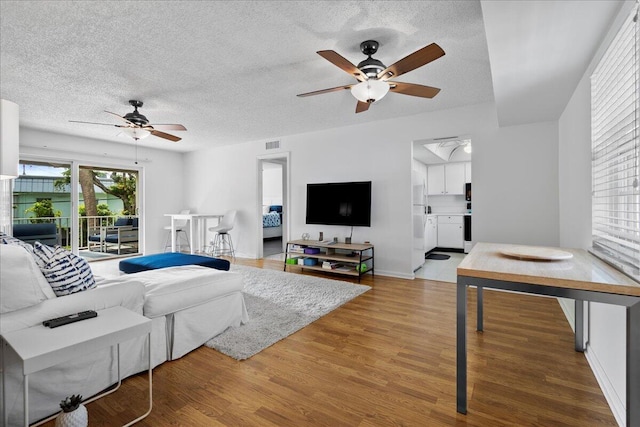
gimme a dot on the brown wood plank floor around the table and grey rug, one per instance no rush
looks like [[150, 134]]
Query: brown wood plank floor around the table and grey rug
[[386, 358]]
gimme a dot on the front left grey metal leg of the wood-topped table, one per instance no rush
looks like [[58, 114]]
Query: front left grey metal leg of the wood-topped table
[[461, 347]]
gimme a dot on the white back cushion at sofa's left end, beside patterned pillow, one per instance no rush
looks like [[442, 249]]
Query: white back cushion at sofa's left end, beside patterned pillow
[[21, 282]]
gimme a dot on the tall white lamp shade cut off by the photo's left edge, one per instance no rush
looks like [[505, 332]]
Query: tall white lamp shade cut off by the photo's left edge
[[9, 139]]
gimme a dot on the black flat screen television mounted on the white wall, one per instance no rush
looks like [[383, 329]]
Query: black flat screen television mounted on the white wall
[[339, 203]]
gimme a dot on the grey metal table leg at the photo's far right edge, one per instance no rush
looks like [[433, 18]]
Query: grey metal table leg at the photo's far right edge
[[633, 365]]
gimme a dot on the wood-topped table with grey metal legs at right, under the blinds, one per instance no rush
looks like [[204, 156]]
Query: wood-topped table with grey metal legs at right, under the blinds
[[583, 277]]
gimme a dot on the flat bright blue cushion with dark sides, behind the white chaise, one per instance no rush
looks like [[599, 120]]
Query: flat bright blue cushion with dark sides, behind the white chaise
[[171, 259]]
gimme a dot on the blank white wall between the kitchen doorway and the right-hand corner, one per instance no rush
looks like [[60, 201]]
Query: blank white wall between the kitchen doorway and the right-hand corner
[[515, 185]]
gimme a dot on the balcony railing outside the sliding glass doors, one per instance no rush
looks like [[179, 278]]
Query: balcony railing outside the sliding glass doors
[[89, 225]]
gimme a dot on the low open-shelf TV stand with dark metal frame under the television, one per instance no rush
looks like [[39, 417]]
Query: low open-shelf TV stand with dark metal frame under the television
[[343, 257]]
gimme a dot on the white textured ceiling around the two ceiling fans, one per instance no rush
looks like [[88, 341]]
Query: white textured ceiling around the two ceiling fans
[[228, 71]]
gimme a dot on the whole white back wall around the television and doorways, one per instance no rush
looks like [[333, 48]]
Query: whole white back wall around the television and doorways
[[381, 152]]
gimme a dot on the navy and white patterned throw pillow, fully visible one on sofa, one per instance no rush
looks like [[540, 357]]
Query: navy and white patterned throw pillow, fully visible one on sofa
[[66, 273]]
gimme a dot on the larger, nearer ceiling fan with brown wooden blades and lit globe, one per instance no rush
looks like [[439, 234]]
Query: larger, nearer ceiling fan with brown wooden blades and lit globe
[[374, 77]]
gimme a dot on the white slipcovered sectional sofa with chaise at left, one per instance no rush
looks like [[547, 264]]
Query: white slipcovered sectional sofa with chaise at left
[[188, 306]]
